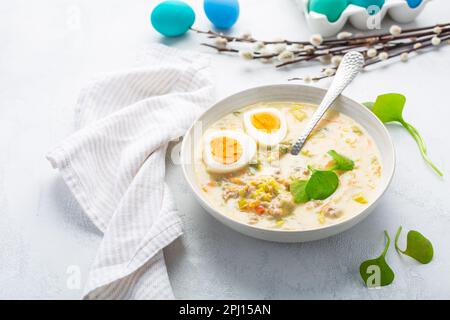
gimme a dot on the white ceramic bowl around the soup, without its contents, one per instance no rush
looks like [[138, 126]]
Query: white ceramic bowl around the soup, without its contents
[[298, 93]]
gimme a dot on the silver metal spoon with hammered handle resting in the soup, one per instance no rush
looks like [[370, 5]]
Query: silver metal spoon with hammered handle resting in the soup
[[349, 67]]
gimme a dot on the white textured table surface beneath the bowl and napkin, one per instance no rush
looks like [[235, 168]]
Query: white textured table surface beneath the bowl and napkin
[[50, 48]]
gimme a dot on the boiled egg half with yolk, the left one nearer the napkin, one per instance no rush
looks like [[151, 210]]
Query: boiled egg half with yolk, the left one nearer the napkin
[[226, 151]]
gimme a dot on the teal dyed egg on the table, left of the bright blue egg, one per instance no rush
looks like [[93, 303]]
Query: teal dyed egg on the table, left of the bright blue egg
[[172, 18]]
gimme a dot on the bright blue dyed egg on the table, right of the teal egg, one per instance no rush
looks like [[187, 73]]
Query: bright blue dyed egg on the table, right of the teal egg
[[222, 13]]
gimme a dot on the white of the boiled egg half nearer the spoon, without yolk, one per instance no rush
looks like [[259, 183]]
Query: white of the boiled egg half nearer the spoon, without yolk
[[264, 138]]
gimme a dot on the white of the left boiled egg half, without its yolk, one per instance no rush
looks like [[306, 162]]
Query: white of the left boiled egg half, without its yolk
[[248, 151]]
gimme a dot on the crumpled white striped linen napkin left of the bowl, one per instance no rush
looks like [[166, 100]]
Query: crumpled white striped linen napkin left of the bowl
[[115, 166]]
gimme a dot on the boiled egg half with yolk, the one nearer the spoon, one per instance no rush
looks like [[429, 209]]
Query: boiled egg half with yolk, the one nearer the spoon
[[267, 126]]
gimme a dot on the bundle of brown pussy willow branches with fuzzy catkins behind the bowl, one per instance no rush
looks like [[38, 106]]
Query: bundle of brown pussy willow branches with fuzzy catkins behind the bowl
[[391, 44]]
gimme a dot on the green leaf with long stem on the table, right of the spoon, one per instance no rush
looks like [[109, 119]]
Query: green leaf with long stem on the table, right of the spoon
[[389, 108]]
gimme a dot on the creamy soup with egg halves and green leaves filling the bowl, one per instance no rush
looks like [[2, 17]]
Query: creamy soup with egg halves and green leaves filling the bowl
[[245, 170]]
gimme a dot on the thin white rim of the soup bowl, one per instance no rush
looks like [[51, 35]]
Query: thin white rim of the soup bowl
[[205, 204]]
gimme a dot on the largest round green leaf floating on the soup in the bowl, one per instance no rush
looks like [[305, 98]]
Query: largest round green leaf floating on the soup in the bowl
[[322, 184]]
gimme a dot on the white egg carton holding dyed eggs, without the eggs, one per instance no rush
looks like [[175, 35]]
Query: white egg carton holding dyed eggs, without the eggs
[[359, 17]]
